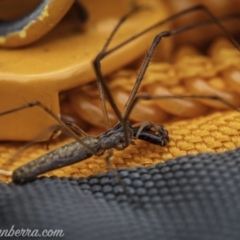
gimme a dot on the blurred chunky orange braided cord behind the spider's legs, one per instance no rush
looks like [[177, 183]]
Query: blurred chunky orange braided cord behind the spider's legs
[[217, 73]]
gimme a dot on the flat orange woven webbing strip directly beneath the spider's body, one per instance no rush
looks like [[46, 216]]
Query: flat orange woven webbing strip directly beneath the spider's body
[[215, 132]]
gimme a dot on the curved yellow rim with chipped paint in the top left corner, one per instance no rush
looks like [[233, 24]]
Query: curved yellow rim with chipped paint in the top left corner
[[52, 13]]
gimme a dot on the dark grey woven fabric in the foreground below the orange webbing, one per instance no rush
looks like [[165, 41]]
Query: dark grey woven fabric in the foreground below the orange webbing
[[194, 197]]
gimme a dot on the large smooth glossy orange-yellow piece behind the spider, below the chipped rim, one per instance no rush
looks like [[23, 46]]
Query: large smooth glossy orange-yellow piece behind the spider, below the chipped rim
[[62, 60]]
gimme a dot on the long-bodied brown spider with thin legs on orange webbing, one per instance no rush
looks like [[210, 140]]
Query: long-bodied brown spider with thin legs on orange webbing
[[123, 133]]
